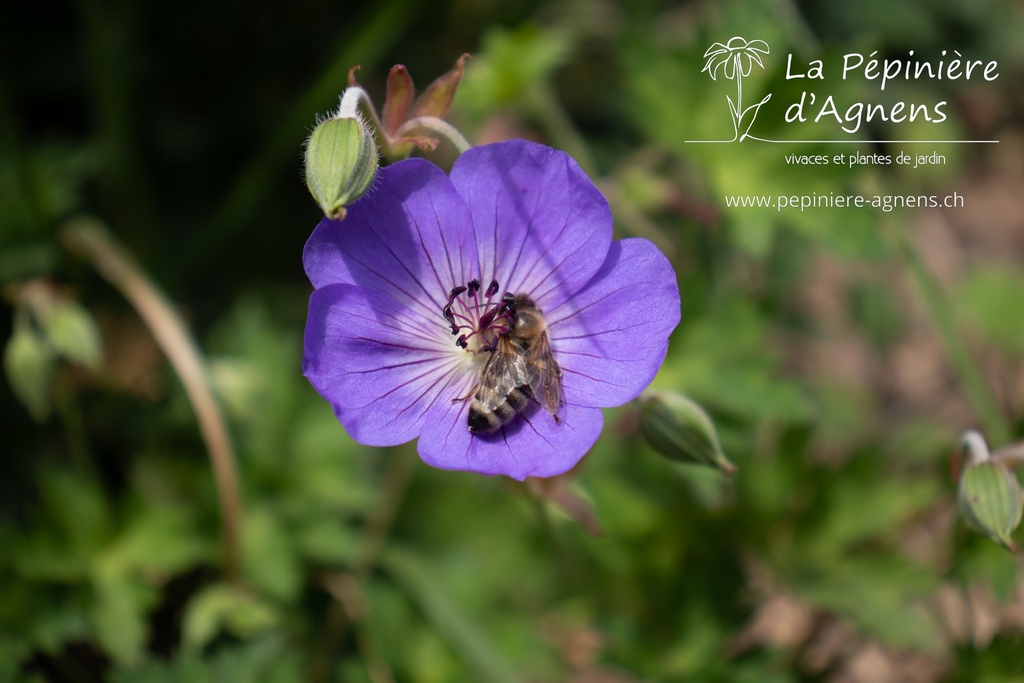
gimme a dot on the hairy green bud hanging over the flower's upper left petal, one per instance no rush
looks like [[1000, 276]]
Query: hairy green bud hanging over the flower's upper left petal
[[342, 161]]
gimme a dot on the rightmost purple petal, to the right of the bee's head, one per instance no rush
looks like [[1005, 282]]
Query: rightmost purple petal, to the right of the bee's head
[[612, 337]]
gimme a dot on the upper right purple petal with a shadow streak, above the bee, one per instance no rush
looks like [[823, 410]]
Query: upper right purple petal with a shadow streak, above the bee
[[542, 227]]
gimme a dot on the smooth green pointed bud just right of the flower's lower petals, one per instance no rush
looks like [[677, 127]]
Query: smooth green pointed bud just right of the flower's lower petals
[[680, 431]]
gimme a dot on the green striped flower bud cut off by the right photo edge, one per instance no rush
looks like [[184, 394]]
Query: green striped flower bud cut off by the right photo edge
[[991, 501]]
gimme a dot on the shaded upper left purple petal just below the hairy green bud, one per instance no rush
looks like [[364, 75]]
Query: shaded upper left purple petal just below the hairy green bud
[[410, 238]]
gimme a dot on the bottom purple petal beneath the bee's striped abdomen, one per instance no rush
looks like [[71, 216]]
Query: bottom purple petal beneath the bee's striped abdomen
[[532, 446]]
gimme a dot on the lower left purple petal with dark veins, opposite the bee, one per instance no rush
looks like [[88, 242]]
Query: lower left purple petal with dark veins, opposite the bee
[[380, 368]]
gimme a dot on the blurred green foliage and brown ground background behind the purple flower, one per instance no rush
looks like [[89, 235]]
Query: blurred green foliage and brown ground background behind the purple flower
[[840, 353]]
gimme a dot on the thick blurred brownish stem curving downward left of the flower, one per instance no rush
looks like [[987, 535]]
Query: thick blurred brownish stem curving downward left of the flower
[[93, 242]]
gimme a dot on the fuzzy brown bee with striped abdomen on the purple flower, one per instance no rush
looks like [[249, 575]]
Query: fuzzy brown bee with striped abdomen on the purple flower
[[520, 368]]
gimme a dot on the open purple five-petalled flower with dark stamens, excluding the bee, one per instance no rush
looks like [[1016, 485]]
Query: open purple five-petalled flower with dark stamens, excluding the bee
[[410, 305]]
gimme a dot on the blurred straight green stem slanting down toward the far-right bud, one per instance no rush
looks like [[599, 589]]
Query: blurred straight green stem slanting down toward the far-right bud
[[967, 372]]
